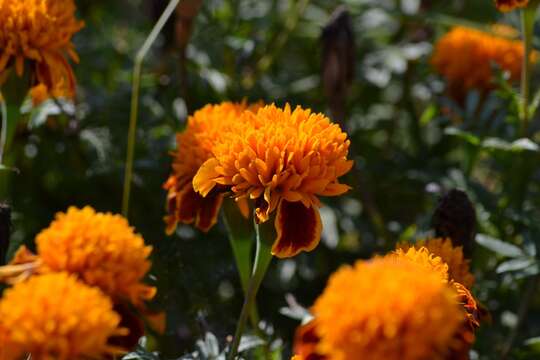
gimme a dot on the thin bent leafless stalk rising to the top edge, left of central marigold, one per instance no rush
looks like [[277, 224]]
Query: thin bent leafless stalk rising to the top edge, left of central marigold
[[139, 58]]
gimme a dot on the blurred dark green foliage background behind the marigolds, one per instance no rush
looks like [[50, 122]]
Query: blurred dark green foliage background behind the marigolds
[[407, 150]]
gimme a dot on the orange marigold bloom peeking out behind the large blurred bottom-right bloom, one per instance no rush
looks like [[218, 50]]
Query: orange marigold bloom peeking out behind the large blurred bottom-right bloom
[[458, 266]]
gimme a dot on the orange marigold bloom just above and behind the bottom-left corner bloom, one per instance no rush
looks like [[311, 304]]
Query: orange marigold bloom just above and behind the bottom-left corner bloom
[[101, 248]]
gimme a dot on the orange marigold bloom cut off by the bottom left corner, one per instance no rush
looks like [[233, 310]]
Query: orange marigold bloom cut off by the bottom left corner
[[55, 316]]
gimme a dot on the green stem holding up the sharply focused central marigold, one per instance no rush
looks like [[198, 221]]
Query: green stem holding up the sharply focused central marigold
[[263, 256]]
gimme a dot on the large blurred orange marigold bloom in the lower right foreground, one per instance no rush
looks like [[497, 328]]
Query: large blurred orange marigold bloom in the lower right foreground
[[386, 308]]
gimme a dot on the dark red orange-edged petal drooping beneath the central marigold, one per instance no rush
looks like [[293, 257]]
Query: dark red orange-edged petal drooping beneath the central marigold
[[298, 229]]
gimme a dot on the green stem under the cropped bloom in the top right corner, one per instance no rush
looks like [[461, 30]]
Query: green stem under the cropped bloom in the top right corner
[[527, 23]]
